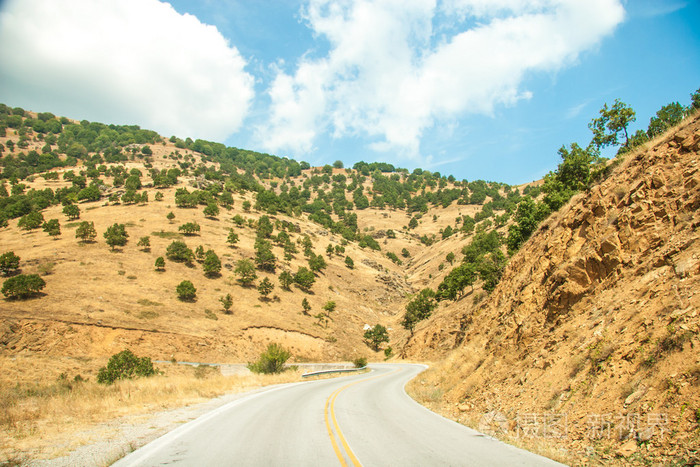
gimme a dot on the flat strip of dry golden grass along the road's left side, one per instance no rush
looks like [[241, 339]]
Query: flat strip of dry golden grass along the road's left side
[[34, 413]]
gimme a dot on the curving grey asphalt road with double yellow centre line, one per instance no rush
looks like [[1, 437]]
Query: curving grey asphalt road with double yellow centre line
[[364, 419]]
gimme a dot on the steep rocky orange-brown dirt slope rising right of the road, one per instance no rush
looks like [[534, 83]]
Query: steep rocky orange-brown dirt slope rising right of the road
[[596, 320]]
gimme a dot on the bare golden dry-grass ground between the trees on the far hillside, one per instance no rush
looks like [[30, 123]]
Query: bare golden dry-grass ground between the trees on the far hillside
[[99, 301]]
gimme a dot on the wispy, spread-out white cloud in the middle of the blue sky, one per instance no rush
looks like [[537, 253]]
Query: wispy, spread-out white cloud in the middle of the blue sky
[[389, 76]]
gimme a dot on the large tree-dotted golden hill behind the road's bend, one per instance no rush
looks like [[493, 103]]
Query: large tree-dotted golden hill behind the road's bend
[[98, 300]]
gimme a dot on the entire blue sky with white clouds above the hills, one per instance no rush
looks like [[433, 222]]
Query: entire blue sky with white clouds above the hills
[[481, 89]]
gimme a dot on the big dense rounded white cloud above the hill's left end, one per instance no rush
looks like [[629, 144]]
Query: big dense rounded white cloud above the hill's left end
[[126, 61]]
